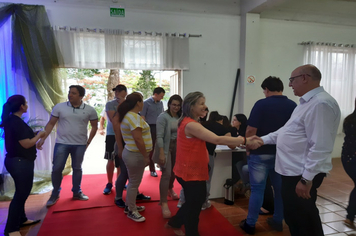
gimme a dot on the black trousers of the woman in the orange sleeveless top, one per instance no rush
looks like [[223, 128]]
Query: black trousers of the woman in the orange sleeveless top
[[188, 214]]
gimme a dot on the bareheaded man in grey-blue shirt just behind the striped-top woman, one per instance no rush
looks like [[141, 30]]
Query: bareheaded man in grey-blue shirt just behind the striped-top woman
[[152, 107]]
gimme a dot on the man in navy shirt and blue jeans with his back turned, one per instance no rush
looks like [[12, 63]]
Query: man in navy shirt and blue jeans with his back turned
[[267, 115]]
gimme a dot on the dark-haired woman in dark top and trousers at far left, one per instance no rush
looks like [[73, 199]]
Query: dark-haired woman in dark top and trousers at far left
[[20, 143]]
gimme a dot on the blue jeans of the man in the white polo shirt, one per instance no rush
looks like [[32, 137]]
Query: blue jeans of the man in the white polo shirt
[[60, 155]]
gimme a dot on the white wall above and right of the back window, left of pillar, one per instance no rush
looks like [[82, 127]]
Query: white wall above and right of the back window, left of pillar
[[213, 57]]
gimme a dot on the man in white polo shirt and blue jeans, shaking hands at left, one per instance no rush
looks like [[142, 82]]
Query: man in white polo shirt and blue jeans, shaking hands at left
[[72, 117]]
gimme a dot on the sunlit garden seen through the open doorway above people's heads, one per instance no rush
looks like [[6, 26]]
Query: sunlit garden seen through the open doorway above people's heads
[[98, 85]]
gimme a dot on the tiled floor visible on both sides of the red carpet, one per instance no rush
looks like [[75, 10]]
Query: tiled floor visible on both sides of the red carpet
[[335, 188]]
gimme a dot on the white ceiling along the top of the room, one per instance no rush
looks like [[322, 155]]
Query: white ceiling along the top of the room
[[339, 12]]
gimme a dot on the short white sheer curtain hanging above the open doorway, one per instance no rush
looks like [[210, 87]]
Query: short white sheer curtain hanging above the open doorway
[[108, 49]]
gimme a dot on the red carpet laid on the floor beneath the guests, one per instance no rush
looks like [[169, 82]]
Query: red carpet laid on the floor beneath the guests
[[99, 216]]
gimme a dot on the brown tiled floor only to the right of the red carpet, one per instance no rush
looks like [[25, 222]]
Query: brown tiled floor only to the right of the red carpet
[[332, 200]]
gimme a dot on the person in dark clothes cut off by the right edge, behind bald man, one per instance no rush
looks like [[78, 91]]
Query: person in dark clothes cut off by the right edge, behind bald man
[[348, 158]]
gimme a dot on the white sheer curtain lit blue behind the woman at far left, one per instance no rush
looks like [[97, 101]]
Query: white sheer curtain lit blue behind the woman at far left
[[15, 82]]
